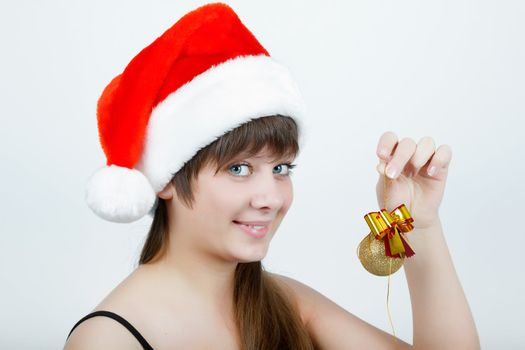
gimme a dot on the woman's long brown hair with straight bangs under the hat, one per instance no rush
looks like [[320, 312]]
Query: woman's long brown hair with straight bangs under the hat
[[266, 317]]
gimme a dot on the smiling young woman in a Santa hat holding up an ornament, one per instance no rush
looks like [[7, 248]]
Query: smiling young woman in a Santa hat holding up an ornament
[[201, 129]]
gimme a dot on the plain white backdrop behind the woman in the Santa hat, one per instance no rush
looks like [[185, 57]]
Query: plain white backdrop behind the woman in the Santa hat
[[453, 70]]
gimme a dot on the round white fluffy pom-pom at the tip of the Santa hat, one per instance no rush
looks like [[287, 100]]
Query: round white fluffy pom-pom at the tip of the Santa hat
[[119, 194]]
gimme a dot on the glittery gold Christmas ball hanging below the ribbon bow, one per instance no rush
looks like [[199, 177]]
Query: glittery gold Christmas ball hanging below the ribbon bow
[[372, 256]]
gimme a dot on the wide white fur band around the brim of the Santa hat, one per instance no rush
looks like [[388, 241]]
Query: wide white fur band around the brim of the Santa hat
[[213, 103]]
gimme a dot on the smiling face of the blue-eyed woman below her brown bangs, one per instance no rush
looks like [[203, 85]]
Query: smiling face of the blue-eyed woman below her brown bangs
[[237, 210]]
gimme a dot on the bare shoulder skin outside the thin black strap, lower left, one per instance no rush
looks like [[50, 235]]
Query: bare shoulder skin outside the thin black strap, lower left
[[101, 333]]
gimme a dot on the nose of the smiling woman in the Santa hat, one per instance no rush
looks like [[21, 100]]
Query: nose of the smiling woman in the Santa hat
[[270, 193]]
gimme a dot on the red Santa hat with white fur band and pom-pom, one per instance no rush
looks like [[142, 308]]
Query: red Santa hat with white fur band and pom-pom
[[203, 77]]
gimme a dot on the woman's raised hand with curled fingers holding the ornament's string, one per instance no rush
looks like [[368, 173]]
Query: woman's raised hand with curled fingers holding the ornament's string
[[416, 176]]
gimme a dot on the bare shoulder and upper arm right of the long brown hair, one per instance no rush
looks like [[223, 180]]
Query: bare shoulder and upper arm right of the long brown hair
[[330, 325]]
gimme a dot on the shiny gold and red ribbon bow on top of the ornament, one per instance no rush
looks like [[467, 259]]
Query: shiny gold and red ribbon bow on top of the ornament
[[384, 224]]
